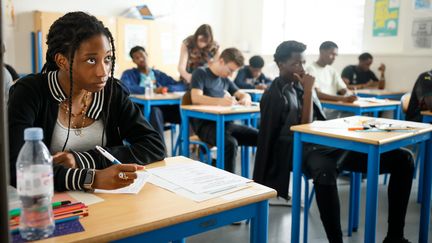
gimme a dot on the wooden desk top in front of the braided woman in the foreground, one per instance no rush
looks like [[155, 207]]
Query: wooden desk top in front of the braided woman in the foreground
[[122, 215]]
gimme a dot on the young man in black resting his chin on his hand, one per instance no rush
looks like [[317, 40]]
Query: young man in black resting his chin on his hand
[[289, 101]]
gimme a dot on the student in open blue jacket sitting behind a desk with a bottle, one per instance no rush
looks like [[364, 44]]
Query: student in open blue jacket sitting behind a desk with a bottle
[[135, 79]]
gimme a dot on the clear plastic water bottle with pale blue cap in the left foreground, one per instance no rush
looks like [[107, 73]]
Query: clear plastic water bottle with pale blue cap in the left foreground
[[35, 186]]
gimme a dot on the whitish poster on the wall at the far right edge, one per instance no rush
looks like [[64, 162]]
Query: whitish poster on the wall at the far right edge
[[422, 33]]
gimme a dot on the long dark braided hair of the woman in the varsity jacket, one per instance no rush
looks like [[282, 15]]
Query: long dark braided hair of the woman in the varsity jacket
[[65, 36]]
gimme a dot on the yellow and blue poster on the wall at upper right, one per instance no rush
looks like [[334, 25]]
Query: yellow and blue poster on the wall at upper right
[[386, 18]]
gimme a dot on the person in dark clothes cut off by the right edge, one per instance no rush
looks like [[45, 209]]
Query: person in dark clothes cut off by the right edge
[[421, 97]]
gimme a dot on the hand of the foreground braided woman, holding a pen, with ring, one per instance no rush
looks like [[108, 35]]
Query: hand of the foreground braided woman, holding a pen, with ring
[[108, 178]]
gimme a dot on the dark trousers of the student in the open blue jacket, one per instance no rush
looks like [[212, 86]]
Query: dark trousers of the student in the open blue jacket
[[159, 115]]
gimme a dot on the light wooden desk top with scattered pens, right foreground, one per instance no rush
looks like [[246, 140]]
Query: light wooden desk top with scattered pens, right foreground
[[336, 129]]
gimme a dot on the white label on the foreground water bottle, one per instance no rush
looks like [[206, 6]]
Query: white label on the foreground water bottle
[[35, 180]]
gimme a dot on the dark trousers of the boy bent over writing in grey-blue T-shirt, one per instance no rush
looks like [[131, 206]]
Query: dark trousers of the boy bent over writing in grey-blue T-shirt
[[235, 135]]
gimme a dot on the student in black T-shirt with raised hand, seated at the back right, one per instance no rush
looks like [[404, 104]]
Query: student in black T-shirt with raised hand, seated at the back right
[[361, 77]]
